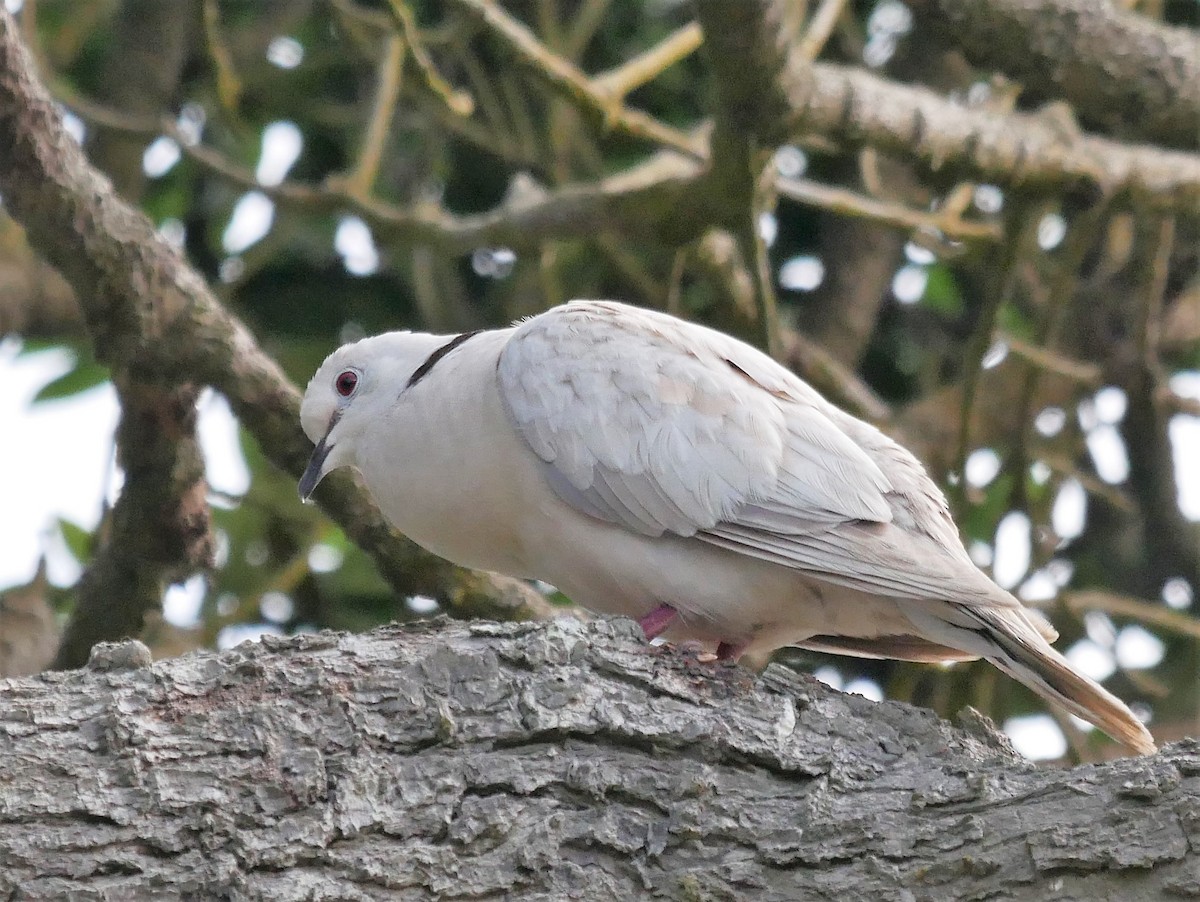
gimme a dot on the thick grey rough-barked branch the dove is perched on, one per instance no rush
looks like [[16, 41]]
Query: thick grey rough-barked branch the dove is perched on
[[551, 761]]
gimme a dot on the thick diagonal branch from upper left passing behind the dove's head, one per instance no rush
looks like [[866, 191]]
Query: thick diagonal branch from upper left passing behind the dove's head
[[145, 304]]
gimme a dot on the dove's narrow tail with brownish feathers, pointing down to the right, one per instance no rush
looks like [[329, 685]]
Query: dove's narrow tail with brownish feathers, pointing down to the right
[[1010, 640]]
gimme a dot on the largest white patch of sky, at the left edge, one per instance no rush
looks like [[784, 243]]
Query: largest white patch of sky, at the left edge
[[57, 455]]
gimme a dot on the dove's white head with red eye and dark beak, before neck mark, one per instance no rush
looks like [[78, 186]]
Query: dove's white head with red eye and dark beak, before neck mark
[[357, 386]]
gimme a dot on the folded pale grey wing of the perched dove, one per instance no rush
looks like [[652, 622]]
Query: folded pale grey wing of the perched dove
[[662, 426]]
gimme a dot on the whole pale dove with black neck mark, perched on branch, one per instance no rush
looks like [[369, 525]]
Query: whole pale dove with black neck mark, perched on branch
[[653, 468]]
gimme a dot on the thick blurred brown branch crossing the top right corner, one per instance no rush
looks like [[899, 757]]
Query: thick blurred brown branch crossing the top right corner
[[1123, 74]]
